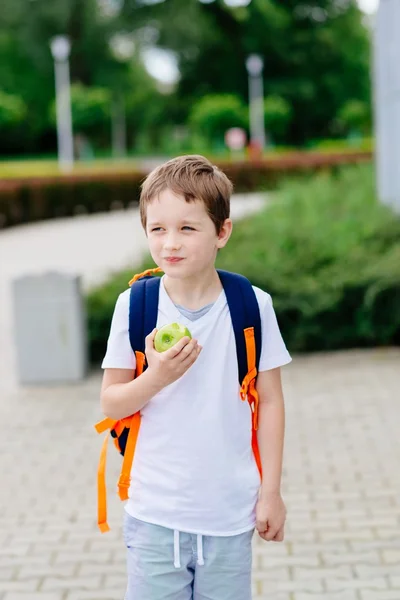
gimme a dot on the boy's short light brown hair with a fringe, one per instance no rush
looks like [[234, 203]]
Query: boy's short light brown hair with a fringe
[[194, 178]]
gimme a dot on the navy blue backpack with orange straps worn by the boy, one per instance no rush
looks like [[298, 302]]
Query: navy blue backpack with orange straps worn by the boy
[[143, 311]]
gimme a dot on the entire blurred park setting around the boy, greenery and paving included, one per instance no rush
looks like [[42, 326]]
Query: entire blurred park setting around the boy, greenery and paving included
[[297, 102]]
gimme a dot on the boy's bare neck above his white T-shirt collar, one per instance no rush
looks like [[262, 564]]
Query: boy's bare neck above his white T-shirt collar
[[194, 292]]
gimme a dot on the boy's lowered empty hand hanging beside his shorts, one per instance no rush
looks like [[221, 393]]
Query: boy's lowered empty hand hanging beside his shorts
[[271, 516]]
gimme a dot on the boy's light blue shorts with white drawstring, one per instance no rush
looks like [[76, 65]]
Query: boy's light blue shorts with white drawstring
[[164, 564]]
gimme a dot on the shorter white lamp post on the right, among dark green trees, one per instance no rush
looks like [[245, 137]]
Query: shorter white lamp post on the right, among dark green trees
[[255, 65]]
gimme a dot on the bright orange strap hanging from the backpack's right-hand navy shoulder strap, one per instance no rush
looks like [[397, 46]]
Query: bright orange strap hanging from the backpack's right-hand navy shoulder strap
[[248, 390]]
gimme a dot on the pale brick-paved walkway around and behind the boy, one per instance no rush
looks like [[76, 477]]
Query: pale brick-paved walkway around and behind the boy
[[341, 476]]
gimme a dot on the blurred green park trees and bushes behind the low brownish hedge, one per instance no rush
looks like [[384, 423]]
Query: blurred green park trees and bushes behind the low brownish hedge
[[160, 77]]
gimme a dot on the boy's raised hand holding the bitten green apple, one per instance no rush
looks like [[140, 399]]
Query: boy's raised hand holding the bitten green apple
[[170, 365]]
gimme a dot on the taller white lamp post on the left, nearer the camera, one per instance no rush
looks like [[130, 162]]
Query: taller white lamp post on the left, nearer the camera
[[60, 49]]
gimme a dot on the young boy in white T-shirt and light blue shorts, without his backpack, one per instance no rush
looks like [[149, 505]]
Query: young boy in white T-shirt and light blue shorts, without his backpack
[[196, 495]]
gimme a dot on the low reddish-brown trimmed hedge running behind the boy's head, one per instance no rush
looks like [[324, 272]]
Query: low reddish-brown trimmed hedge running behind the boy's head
[[31, 199]]
